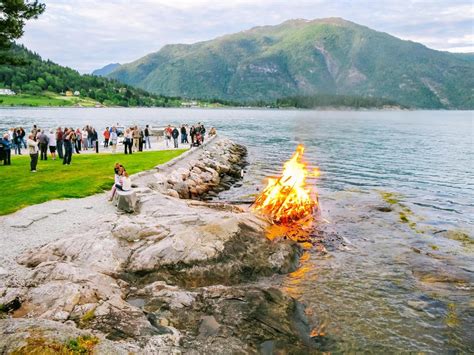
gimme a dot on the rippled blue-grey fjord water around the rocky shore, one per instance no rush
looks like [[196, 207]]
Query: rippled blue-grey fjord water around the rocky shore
[[382, 291]]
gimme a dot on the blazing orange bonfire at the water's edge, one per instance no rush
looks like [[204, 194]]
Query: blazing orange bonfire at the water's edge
[[288, 199]]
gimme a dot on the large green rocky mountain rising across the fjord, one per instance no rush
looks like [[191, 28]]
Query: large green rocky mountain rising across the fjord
[[306, 58]]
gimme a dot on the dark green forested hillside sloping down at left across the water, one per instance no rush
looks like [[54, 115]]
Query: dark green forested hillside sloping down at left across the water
[[42, 79]]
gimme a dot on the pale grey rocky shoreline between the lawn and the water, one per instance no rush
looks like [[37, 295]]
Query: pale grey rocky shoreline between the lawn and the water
[[177, 276]]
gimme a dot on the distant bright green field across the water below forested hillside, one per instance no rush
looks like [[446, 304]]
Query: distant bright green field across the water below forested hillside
[[45, 99]]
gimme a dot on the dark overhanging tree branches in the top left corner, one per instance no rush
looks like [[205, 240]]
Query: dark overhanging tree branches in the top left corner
[[13, 15]]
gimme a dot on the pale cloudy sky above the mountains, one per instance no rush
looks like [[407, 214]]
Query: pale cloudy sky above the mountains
[[88, 34]]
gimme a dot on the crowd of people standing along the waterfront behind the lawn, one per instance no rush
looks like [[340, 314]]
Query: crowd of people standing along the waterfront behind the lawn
[[62, 143]]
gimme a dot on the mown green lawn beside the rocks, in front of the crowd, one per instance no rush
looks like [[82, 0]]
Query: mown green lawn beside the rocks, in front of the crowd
[[88, 174]]
